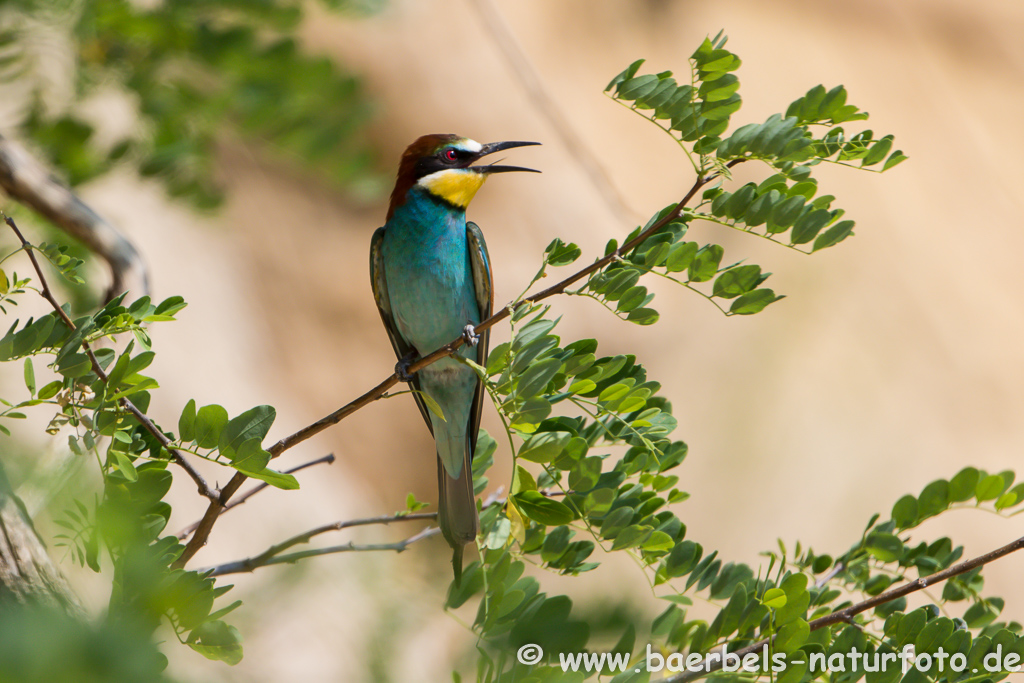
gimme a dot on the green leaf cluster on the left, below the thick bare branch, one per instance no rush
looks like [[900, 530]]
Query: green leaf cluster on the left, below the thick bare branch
[[125, 526]]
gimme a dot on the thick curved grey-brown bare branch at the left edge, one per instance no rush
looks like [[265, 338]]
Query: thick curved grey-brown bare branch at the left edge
[[28, 182]]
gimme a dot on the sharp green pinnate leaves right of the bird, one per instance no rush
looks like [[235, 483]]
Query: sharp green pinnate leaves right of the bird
[[596, 461]]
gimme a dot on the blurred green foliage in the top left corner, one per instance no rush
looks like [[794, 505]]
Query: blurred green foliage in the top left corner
[[192, 71]]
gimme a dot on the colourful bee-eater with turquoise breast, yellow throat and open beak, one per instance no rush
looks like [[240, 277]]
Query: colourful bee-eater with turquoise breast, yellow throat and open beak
[[431, 275]]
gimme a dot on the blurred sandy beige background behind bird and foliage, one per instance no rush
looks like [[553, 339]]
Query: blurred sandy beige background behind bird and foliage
[[895, 357]]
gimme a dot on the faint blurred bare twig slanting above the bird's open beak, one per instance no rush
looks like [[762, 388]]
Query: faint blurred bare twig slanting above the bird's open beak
[[531, 82]]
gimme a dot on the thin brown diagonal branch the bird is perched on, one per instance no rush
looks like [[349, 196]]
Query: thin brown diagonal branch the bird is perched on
[[217, 507]]
